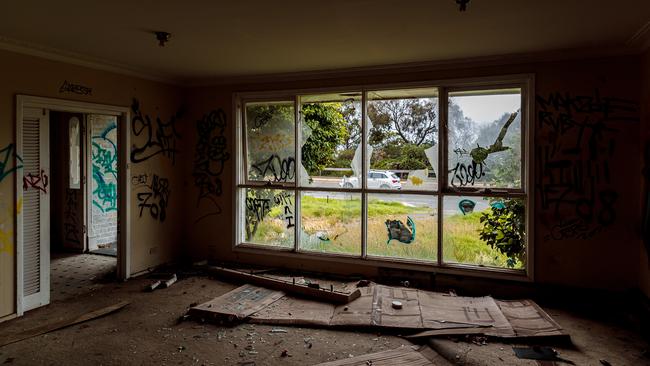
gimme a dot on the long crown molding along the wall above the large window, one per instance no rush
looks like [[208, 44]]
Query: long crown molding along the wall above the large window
[[427, 66]]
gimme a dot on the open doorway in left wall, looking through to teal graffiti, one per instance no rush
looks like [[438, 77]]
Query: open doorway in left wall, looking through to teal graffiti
[[83, 204]]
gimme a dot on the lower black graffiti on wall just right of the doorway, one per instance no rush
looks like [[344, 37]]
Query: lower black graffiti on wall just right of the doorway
[[155, 196]]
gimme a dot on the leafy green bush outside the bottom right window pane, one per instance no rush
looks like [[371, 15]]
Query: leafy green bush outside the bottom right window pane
[[504, 228]]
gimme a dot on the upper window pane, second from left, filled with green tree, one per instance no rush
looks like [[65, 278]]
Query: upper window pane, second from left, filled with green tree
[[331, 132]]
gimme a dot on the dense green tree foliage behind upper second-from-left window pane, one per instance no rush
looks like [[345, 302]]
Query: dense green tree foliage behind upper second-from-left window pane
[[328, 132]]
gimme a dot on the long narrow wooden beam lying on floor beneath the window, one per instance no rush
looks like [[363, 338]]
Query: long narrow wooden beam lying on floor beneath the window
[[287, 286]]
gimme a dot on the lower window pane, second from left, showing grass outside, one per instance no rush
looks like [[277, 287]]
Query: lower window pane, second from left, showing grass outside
[[331, 222]]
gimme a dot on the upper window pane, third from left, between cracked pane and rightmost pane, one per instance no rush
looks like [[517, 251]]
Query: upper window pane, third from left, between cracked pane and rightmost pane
[[403, 138]]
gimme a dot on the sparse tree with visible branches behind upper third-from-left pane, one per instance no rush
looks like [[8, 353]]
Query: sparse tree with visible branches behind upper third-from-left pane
[[404, 121]]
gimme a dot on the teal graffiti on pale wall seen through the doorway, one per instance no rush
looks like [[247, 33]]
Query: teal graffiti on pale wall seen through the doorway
[[104, 160]]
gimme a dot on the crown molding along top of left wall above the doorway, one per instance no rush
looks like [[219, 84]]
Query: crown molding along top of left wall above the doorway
[[68, 57]]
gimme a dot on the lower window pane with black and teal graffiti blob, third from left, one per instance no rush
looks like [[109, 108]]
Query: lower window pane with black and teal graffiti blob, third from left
[[403, 226]]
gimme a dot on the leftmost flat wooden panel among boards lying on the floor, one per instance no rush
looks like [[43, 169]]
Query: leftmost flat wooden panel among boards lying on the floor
[[238, 303]]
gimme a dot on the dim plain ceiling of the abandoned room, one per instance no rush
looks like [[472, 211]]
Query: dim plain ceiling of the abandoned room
[[225, 39]]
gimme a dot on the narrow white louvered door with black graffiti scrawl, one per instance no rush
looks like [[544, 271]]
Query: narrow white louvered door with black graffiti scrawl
[[34, 238]]
